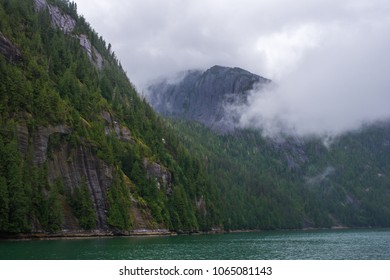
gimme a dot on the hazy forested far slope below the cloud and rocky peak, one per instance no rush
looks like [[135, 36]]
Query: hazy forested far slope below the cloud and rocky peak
[[294, 184]]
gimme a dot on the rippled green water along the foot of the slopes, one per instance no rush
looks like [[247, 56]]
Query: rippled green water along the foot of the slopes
[[281, 245]]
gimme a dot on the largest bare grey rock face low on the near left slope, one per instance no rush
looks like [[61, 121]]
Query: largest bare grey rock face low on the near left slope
[[72, 165]]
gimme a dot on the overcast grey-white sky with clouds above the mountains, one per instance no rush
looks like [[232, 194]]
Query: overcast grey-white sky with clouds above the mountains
[[330, 59]]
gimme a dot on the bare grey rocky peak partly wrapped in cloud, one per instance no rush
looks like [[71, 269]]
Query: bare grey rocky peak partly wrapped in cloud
[[204, 95]]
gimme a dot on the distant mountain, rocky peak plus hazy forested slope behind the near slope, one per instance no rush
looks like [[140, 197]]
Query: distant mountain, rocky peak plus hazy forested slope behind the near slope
[[282, 182]]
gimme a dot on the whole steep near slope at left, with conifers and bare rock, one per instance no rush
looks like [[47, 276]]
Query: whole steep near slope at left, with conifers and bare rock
[[80, 152]]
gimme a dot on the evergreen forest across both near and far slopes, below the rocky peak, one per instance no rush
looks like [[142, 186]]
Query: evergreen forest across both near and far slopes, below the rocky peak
[[80, 150]]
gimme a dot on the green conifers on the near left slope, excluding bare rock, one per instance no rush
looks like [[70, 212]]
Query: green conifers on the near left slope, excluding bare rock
[[56, 83]]
